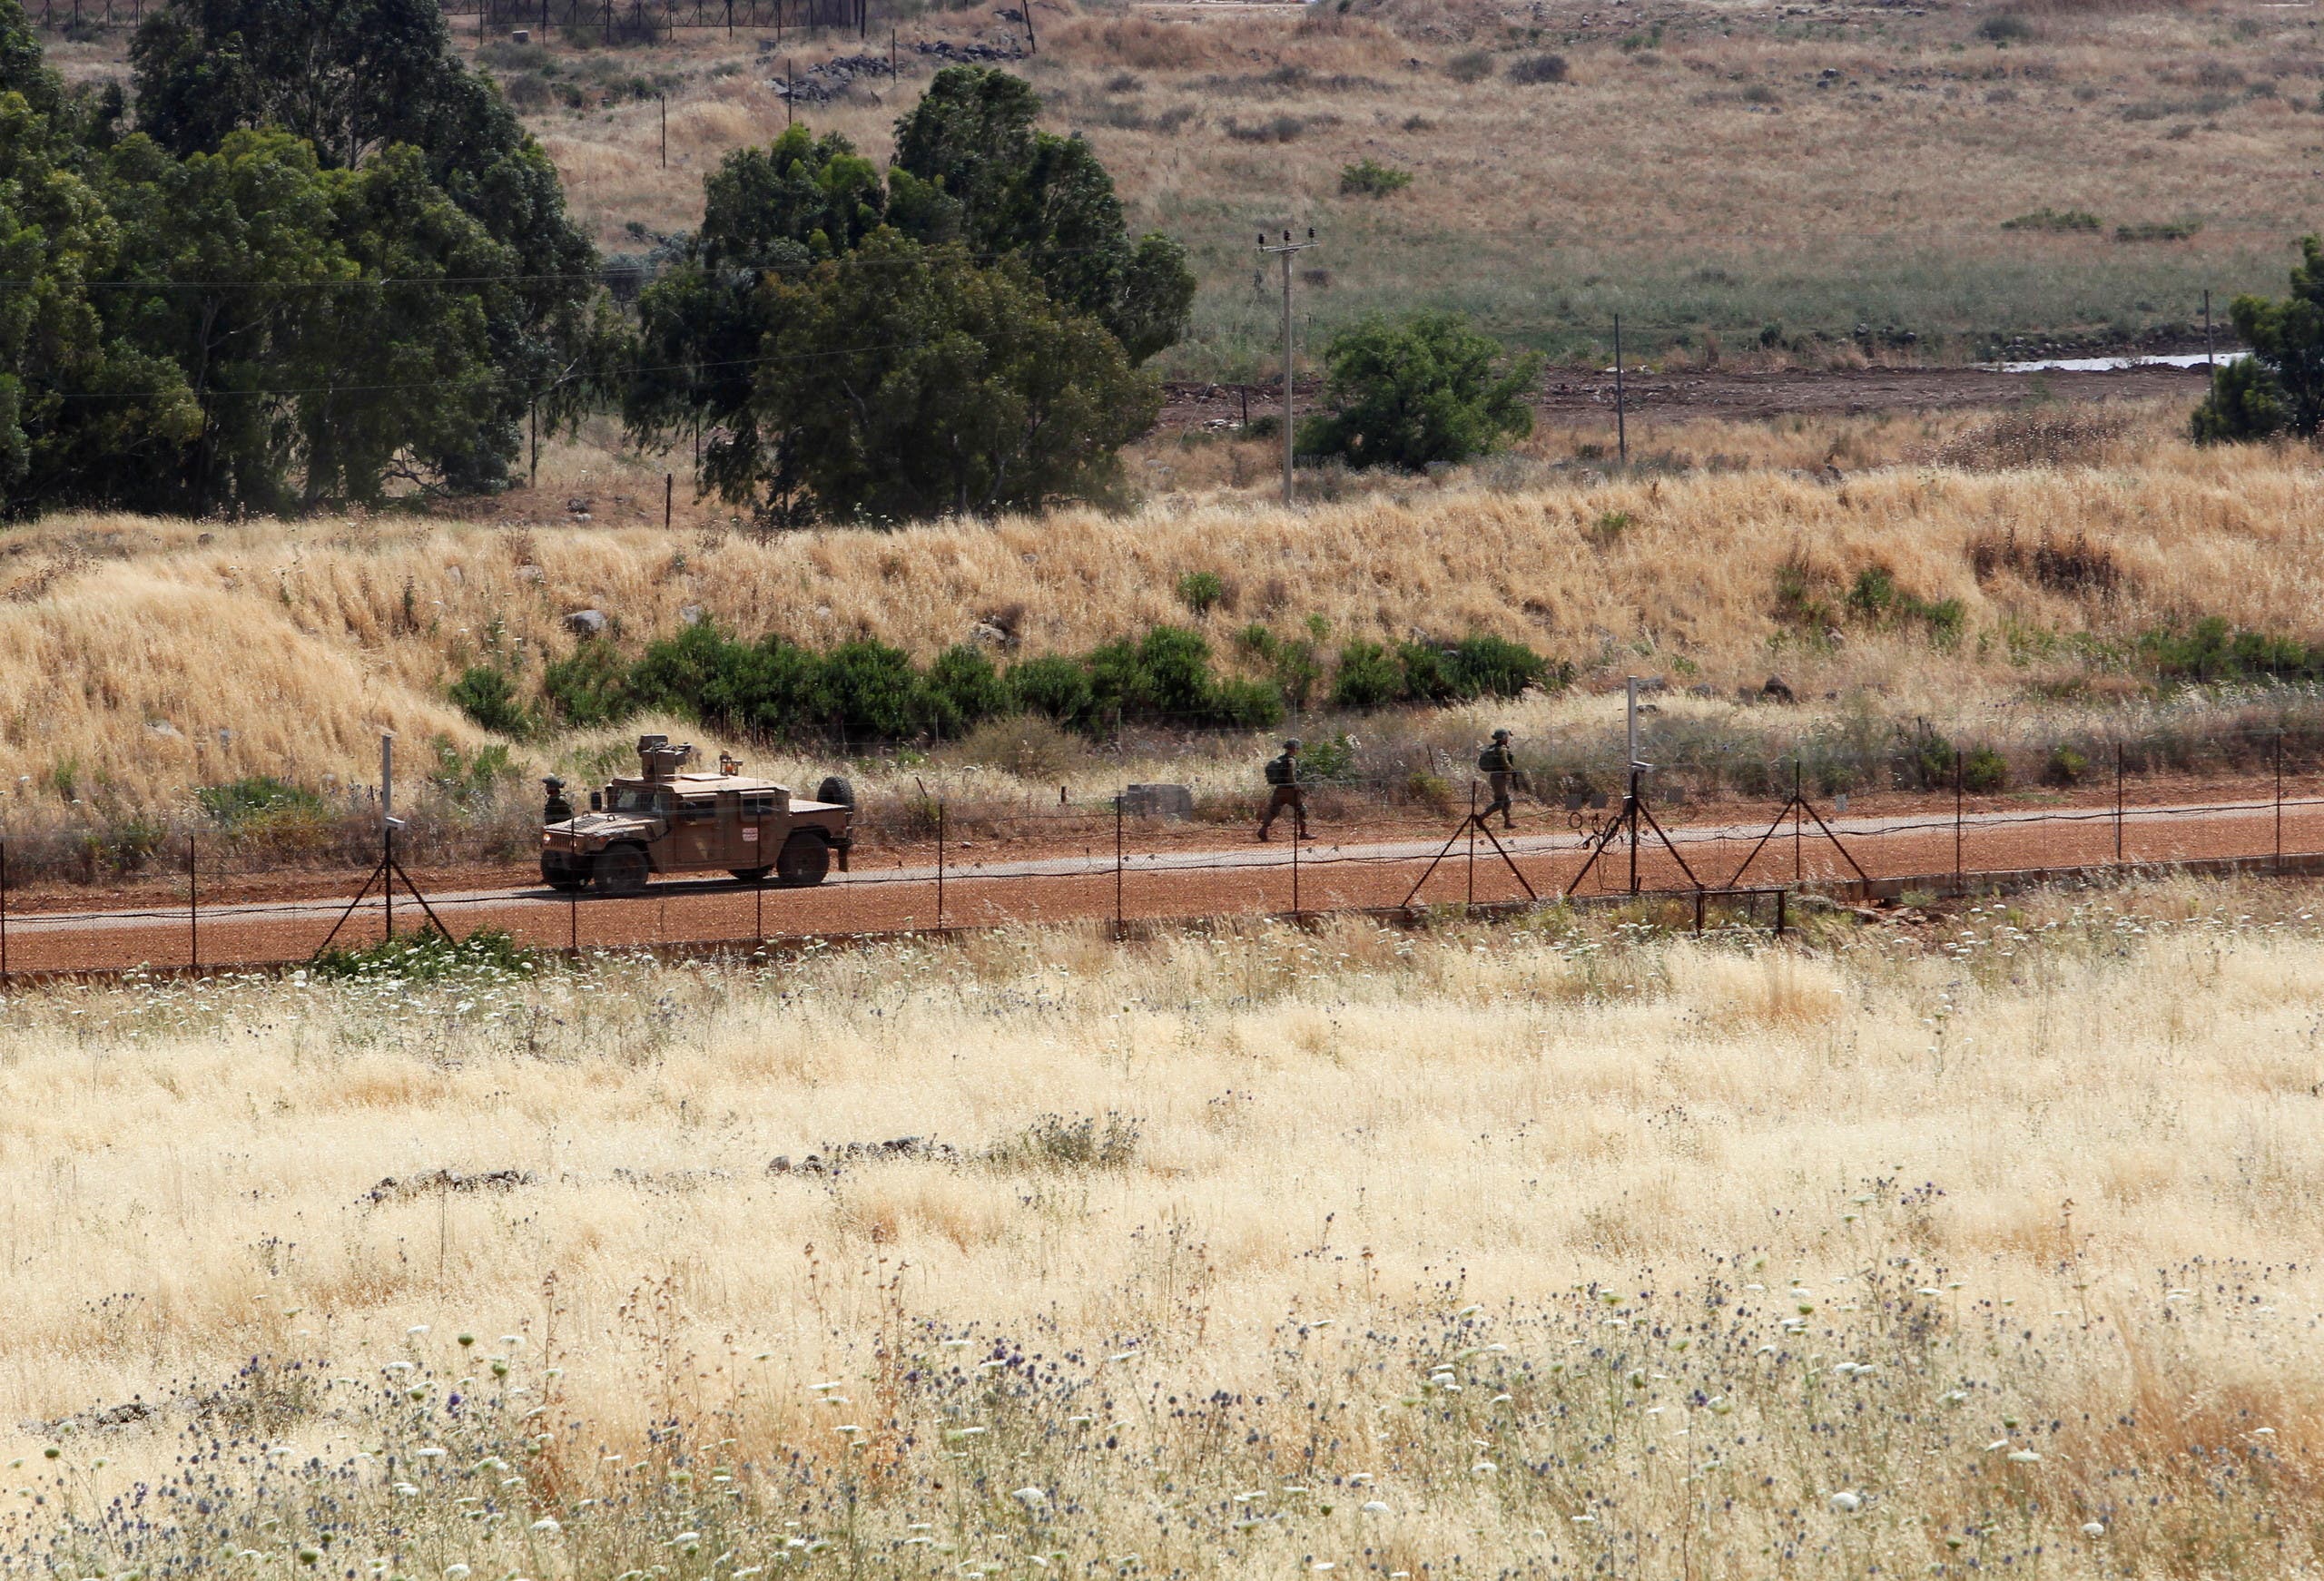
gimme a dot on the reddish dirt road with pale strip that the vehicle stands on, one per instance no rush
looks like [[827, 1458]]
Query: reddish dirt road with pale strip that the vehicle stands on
[[1214, 873]]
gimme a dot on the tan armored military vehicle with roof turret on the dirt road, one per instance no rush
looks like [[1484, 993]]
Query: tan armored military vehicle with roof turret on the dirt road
[[673, 822]]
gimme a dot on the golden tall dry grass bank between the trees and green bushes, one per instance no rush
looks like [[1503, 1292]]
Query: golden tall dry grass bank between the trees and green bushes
[[127, 648]]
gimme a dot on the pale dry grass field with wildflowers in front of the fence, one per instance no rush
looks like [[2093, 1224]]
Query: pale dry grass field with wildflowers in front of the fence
[[1556, 1250]]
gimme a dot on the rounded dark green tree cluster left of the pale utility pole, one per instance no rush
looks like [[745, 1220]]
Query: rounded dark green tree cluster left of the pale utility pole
[[752, 331]]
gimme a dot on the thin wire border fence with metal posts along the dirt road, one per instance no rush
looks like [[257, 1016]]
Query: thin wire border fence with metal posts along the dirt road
[[1145, 861]]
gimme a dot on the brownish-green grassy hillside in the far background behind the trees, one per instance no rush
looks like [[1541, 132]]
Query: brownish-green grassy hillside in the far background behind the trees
[[1737, 183]]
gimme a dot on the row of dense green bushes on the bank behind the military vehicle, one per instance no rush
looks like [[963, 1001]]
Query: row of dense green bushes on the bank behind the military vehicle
[[870, 692]]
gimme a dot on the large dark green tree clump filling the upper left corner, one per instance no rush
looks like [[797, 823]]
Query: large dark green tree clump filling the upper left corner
[[324, 264]]
